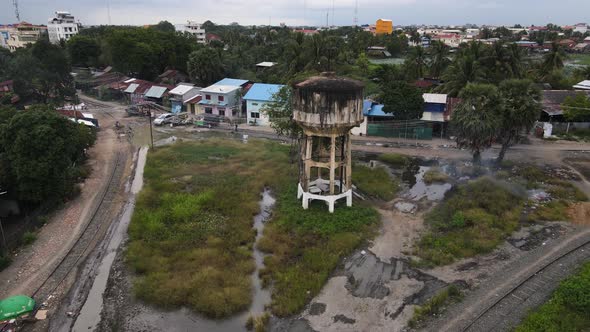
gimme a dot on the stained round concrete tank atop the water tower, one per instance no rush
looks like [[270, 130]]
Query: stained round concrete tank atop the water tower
[[328, 104]]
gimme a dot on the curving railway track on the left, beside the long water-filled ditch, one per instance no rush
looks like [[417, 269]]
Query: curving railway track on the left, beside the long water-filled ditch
[[87, 237]]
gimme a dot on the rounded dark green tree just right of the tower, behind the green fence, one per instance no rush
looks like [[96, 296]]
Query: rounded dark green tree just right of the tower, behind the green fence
[[403, 100]]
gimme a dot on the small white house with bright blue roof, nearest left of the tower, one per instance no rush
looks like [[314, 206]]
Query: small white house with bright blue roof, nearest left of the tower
[[258, 97]]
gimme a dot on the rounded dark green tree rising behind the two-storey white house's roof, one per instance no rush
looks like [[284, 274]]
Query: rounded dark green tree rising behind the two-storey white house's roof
[[205, 66]]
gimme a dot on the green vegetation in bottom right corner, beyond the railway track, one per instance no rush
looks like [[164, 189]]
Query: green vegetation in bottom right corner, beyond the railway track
[[568, 308]]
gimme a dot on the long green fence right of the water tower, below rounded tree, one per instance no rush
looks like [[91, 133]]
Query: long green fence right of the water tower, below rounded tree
[[400, 129]]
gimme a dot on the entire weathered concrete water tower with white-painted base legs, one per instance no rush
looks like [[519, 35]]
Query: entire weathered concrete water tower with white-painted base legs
[[327, 108]]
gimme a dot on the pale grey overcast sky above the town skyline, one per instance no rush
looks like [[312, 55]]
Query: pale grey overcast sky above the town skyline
[[311, 12]]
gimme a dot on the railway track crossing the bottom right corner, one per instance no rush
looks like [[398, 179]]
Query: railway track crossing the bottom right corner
[[499, 314]]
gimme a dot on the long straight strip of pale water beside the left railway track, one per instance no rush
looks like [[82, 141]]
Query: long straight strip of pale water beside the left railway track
[[89, 316]]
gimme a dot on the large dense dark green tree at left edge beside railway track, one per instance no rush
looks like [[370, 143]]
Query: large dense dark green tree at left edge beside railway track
[[40, 153]]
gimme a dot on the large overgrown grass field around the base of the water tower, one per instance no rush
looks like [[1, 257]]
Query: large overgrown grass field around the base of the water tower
[[191, 236]]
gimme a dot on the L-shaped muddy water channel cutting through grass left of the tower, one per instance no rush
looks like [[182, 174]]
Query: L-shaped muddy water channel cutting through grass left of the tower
[[185, 320]]
